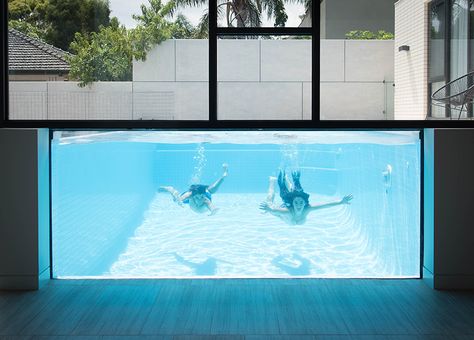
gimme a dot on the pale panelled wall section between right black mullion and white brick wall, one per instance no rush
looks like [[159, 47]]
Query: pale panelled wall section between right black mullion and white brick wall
[[356, 79]]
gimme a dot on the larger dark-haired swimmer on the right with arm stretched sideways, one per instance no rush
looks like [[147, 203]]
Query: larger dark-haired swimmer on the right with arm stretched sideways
[[296, 206]]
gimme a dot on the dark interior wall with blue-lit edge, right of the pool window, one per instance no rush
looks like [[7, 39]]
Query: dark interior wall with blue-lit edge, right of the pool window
[[448, 213]]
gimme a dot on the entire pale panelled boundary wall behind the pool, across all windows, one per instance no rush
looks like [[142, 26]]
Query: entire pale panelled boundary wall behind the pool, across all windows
[[257, 79]]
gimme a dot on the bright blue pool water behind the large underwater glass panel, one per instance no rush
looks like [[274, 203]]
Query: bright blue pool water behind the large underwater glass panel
[[109, 219]]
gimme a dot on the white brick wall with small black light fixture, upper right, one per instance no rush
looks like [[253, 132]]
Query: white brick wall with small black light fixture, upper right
[[411, 67]]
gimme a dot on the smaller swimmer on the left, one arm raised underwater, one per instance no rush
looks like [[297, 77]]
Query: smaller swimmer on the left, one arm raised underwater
[[198, 196]]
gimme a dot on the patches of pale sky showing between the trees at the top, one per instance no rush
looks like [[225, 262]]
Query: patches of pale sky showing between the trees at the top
[[123, 10]]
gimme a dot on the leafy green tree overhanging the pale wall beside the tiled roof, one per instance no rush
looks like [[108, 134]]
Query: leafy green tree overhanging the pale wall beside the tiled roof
[[107, 55]]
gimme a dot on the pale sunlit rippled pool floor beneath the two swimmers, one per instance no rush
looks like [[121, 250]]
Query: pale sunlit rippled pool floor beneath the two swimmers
[[241, 241]]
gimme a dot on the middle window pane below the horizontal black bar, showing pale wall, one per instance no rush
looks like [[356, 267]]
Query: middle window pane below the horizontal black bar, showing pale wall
[[264, 78]]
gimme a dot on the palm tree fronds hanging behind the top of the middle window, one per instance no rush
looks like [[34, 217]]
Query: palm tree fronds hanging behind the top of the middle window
[[246, 13]]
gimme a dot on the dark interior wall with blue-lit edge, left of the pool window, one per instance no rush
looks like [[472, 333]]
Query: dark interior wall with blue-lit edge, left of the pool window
[[24, 208]]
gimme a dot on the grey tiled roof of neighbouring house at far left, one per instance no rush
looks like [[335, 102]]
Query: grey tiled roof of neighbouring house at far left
[[31, 59]]
